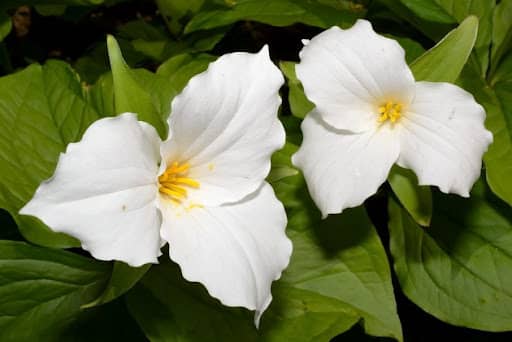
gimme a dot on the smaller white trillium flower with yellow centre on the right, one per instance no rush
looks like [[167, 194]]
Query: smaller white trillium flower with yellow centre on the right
[[370, 113]]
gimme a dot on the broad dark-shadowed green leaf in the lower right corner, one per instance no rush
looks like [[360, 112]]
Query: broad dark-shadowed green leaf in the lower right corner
[[458, 269]]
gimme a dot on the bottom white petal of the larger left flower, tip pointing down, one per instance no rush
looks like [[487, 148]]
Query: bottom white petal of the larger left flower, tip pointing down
[[234, 250]]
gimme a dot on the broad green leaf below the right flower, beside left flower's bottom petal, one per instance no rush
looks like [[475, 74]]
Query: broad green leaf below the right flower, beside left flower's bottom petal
[[341, 258]]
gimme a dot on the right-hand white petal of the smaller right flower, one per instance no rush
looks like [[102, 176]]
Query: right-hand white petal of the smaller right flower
[[443, 137]]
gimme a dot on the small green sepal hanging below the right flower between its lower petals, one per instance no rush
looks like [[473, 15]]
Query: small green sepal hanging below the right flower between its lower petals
[[417, 200]]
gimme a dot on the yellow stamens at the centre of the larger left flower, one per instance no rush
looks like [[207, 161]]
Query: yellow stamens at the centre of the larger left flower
[[174, 182]]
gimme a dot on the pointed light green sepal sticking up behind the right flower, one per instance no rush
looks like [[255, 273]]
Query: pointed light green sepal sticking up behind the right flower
[[445, 61]]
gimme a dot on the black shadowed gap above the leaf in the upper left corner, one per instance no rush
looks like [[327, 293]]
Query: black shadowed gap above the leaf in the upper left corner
[[71, 35]]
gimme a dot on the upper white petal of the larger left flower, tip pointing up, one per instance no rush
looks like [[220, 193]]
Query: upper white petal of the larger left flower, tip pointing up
[[225, 125]]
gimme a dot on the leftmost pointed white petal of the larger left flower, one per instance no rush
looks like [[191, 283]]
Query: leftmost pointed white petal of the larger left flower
[[103, 192]]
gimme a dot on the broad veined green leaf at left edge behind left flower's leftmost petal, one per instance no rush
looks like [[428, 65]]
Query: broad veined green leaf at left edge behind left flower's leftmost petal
[[42, 109]]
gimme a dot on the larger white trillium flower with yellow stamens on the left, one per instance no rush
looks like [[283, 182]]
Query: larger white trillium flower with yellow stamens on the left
[[123, 192]]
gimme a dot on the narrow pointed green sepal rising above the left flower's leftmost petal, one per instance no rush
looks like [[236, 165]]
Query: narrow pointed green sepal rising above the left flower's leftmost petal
[[129, 95]]
